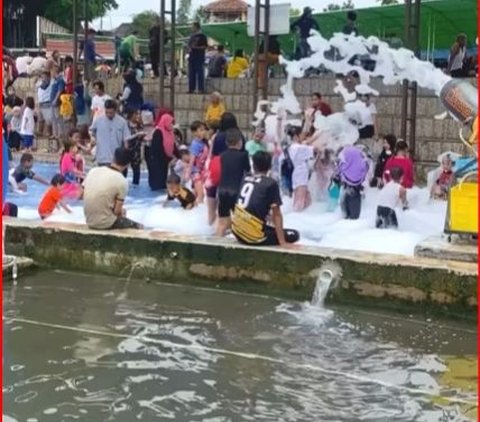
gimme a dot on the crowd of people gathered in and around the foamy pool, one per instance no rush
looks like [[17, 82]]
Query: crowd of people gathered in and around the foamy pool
[[243, 179]]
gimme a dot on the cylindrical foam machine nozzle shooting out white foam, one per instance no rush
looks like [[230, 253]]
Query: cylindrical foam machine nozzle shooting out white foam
[[460, 98]]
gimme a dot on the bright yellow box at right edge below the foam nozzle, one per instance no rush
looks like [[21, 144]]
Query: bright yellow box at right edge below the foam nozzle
[[463, 206]]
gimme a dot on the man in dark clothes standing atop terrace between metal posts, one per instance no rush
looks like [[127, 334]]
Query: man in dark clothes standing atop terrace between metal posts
[[197, 45]]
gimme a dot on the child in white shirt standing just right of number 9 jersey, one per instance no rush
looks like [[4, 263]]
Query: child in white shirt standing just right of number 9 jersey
[[300, 156]]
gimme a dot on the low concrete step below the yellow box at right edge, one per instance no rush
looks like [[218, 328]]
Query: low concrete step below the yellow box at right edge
[[457, 250]]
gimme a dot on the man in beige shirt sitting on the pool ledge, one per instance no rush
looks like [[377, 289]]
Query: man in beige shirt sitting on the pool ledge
[[105, 191]]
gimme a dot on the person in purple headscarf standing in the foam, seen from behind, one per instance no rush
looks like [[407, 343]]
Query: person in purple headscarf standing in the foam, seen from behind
[[353, 170]]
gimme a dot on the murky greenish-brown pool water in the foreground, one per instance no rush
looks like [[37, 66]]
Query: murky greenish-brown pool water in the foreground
[[92, 348]]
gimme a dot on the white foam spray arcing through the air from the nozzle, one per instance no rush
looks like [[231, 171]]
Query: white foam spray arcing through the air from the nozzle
[[338, 56]]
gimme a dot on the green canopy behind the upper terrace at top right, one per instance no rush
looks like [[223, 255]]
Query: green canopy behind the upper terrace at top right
[[441, 21]]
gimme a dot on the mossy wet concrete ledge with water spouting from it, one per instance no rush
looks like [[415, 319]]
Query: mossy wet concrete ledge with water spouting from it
[[424, 285]]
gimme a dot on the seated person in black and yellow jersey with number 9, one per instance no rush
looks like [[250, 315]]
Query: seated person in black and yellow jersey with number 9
[[260, 196]]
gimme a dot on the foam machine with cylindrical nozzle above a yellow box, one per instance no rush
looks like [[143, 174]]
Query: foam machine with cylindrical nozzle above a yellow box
[[460, 98]]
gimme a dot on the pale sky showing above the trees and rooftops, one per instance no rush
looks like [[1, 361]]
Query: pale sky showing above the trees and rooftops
[[127, 8]]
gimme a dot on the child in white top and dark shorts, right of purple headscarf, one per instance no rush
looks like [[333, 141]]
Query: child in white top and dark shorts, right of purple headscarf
[[392, 194]]
